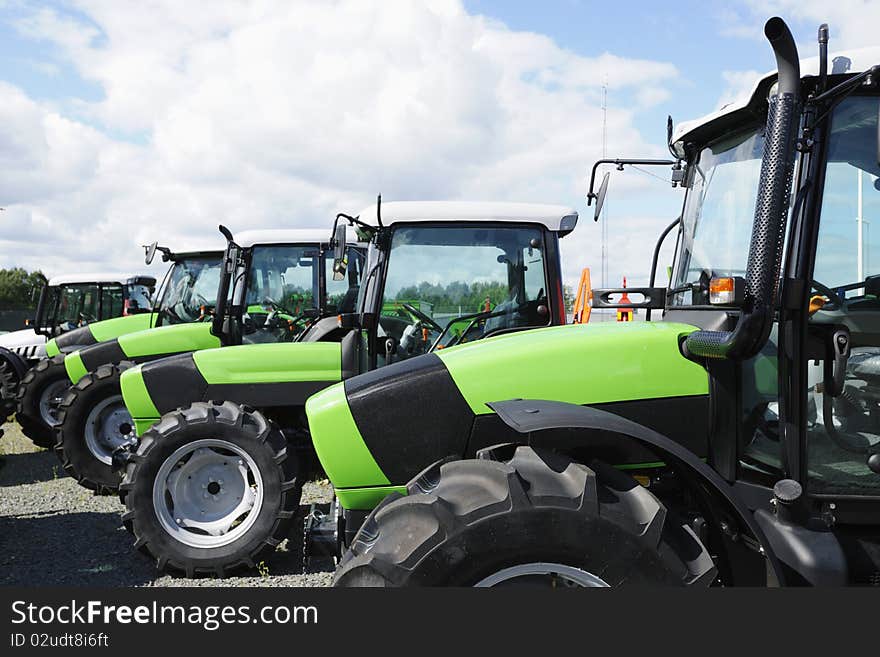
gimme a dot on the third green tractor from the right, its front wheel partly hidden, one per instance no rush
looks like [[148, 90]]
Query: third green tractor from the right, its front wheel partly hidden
[[282, 291]]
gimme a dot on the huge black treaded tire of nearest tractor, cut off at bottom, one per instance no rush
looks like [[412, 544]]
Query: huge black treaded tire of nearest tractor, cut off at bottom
[[535, 515]]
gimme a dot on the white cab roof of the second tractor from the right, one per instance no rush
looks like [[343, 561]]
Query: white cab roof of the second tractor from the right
[[557, 218]]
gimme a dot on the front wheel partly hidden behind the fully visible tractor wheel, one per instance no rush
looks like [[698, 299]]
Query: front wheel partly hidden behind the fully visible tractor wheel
[[92, 422]]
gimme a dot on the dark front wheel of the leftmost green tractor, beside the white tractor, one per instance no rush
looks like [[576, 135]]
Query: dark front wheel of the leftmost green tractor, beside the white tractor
[[41, 390]]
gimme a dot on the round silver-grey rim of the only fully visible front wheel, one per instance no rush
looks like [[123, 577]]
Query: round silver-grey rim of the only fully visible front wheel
[[208, 493]]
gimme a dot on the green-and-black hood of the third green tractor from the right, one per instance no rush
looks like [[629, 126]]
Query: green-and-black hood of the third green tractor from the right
[[140, 346]]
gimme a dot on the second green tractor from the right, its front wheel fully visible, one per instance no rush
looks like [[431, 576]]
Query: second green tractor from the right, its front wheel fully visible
[[214, 485]]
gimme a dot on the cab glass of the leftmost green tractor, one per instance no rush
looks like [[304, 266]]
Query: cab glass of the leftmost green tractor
[[191, 290]]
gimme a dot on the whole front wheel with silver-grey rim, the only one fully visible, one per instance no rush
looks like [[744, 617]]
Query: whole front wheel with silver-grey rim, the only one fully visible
[[211, 489]]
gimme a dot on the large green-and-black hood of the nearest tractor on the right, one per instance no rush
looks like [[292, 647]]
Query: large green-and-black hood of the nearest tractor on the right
[[376, 431]]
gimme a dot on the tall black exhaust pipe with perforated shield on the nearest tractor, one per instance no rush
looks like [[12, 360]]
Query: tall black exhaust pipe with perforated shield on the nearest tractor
[[771, 214]]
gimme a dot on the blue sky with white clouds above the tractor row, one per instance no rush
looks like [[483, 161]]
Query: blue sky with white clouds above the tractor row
[[126, 122]]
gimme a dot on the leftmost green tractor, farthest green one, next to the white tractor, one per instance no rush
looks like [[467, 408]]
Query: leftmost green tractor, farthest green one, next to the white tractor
[[192, 272]]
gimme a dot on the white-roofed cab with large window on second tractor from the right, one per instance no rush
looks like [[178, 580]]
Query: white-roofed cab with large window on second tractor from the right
[[441, 274]]
